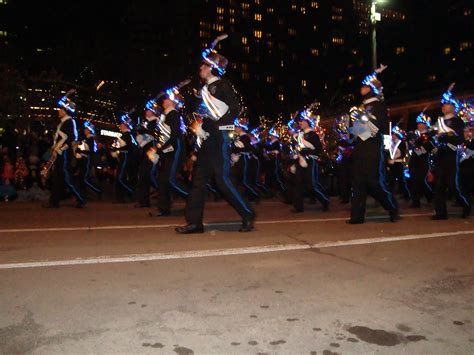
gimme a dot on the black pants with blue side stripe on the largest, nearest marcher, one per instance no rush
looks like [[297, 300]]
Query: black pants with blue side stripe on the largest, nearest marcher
[[213, 160]]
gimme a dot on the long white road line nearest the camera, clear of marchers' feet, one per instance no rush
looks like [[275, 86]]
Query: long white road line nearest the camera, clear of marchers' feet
[[227, 252]]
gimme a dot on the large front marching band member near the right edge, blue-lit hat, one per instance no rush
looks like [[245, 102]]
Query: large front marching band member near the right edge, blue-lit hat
[[449, 138]]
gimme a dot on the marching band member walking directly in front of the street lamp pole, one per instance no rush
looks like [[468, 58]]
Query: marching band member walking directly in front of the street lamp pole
[[368, 175]]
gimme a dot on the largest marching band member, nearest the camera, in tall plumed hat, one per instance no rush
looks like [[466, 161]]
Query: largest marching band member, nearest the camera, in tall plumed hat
[[213, 157]]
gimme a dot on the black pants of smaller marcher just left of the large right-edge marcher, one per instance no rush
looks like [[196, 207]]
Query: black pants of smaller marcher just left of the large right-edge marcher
[[419, 166]]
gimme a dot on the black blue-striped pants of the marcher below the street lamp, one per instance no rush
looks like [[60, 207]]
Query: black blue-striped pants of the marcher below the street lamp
[[368, 177]]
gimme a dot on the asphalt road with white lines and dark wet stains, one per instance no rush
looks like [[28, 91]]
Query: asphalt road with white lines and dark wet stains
[[110, 279]]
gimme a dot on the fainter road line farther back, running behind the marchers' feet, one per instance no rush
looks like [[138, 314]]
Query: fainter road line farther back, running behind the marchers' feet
[[155, 226]]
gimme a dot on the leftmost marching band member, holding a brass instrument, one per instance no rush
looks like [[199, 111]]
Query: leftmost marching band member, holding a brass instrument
[[65, 140]]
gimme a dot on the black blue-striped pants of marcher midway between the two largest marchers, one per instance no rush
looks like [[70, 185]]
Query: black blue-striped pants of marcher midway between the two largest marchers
[[307, 179]]
